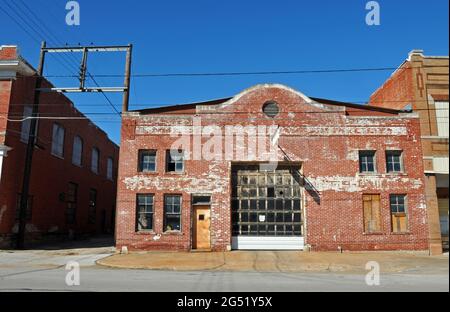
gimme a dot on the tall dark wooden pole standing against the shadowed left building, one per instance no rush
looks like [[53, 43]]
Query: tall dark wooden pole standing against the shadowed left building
[[20, 244]]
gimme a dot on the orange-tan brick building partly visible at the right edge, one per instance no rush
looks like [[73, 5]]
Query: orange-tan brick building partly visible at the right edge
[[421, 83]]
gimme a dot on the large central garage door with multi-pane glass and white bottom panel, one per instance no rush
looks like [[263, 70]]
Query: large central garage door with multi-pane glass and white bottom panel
[[267, 212]]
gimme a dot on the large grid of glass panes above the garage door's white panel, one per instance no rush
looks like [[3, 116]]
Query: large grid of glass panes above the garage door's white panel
[[266, 203]]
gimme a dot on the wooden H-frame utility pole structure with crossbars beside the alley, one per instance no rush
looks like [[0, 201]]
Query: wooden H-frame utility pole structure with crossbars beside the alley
[[20, 244]]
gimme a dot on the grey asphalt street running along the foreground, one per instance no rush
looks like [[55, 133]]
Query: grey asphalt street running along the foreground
[[30, 271]]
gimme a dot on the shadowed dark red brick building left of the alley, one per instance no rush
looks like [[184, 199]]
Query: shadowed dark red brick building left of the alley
[[74, 170]]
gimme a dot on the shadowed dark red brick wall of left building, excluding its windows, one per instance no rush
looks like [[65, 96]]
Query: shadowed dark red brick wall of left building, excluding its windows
[[51, 175]]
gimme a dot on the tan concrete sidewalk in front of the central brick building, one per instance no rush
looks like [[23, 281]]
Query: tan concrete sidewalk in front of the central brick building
[[258, 261]]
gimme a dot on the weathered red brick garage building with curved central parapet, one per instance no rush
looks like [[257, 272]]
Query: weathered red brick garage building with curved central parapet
[[204, 176]]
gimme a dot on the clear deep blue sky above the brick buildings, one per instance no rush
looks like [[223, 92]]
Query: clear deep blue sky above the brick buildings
[[223, 36]]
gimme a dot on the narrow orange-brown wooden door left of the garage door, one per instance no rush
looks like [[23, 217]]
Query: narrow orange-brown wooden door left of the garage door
[[202, 228]]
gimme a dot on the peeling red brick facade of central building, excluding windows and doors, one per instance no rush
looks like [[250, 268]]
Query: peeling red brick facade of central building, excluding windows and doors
[[324, 137]]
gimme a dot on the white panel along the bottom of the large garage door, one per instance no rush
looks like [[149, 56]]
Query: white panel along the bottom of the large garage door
[[268, 243]]
